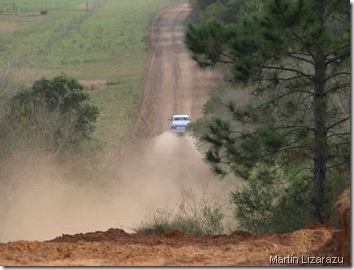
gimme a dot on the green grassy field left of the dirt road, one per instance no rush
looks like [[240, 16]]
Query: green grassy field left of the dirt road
[[99, 42]]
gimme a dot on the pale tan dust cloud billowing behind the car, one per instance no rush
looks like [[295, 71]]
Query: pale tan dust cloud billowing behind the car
[[48, 206]]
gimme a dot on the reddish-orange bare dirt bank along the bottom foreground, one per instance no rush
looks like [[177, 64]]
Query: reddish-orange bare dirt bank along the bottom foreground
[[117, 248]]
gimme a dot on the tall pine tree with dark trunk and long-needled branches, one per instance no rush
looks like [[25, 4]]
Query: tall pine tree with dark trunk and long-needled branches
[[296, 57]]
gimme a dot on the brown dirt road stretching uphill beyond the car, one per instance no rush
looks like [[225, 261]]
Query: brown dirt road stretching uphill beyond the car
[[172, 84]]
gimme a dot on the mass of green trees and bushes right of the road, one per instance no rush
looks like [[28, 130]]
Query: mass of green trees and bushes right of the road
[[281, 121]]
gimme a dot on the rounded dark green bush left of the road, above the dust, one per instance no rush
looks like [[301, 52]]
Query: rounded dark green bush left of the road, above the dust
[[54, 113]]
